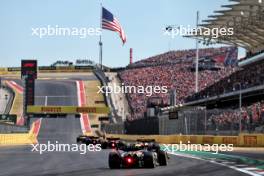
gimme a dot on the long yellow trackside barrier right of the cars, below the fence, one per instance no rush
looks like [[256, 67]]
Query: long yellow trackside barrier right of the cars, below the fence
[[243, 140]]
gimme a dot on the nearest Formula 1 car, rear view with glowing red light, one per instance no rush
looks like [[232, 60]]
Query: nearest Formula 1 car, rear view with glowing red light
[[143, 154]]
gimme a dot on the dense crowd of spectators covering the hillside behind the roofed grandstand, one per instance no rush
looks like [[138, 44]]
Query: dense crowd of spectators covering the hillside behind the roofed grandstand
[[172, 69]]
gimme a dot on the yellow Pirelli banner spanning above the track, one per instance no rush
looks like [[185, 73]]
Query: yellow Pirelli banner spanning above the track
[[66, 110]]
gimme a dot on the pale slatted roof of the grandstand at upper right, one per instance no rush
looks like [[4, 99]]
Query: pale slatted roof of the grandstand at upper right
[[246, 17]]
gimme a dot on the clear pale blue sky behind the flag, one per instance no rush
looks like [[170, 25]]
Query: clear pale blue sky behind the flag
[[142, 20]]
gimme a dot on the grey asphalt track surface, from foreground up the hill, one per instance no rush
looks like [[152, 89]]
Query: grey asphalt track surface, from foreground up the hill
[[21, 161]]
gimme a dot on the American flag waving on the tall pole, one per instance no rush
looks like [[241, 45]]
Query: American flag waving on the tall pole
[[109, 22]]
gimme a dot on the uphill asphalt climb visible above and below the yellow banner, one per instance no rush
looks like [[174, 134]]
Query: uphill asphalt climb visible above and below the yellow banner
[[60, 93]]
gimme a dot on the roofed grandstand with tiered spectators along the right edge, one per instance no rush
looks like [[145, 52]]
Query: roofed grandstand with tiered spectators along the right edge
[[246, 83]]
